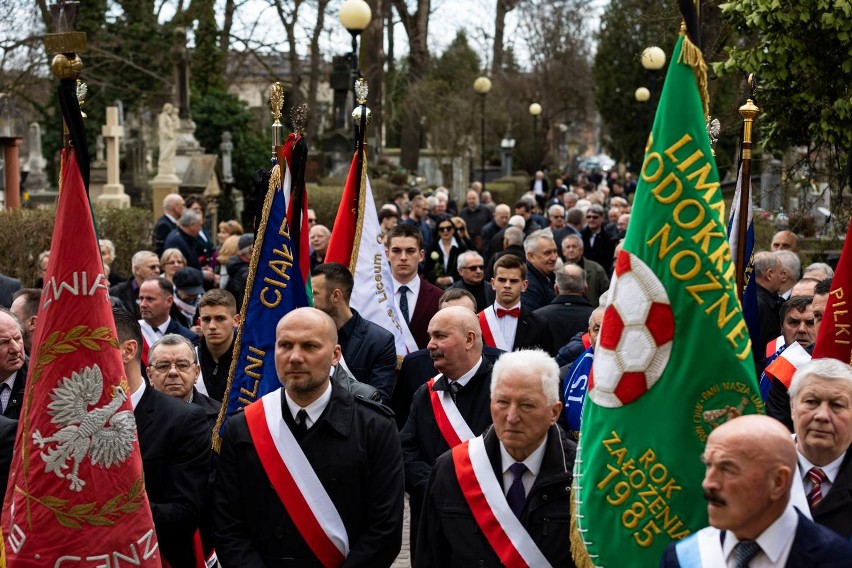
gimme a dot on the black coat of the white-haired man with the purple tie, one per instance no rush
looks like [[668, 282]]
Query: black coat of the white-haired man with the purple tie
[[449, 536]]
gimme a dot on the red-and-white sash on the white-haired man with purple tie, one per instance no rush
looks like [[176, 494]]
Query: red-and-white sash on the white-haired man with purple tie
[[484, 495]]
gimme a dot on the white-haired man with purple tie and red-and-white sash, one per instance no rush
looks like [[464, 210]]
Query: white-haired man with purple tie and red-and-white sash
[[521, 468]]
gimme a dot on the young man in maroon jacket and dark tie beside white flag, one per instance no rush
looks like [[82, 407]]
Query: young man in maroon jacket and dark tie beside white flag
[[416, 300]]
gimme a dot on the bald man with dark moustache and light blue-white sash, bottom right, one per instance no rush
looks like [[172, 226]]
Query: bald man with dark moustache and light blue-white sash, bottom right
[[750, 466]]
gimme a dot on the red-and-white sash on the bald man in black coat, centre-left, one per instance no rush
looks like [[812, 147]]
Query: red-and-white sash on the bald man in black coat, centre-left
[[296, 482]]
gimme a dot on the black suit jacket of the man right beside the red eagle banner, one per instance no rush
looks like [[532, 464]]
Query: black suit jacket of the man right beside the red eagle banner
[[174, 439]]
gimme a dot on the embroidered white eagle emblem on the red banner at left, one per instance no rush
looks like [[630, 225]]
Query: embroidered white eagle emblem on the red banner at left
[[103, 434]]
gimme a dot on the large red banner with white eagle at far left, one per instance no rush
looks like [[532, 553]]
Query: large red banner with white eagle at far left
[[76, 493]]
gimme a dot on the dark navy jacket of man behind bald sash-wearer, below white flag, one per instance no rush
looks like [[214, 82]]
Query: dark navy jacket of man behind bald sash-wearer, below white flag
[[370, 353]]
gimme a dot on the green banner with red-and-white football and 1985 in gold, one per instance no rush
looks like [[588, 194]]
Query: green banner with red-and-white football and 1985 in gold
[[673, 358]]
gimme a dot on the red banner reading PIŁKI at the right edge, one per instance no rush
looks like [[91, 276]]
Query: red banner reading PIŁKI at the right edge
[[835, 333]]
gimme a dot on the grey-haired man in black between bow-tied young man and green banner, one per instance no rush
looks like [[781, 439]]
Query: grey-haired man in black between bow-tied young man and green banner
[[568, 313]]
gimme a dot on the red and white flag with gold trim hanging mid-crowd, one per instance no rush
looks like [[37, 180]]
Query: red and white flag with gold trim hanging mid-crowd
[[357, 242]]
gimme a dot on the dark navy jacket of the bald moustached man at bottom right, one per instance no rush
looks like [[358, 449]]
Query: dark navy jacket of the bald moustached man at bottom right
[[813, 545]]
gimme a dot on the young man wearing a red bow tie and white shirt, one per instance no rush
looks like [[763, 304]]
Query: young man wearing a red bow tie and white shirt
[[507, 324]]
